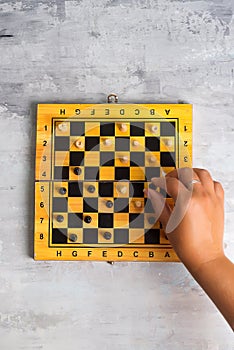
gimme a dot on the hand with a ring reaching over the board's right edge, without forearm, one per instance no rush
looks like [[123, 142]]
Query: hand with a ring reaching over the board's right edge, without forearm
[[195, 225]]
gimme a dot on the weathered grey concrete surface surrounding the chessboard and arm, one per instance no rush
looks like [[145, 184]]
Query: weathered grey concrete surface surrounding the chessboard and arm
[[79, 51]]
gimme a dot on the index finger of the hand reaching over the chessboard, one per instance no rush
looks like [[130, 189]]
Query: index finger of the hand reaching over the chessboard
[[171, 185]]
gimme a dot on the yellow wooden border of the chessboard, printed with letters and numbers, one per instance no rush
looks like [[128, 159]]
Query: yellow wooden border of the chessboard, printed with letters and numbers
[[47, 114]]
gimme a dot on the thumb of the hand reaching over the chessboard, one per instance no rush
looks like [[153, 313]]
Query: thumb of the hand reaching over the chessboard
[[161, 208]]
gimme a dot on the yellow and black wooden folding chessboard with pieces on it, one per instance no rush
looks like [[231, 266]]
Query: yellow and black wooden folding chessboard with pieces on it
[[93, 162]]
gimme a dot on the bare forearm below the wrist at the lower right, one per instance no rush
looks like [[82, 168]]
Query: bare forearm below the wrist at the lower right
[[217, 279]]
